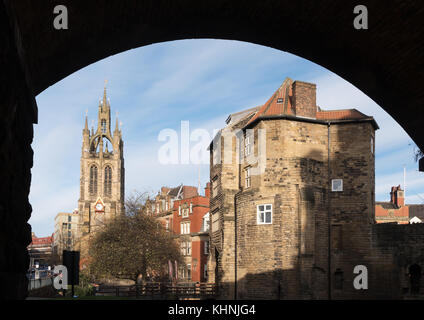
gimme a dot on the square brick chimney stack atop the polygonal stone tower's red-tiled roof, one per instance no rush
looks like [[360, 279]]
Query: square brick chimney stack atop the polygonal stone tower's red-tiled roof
[[304, 99]]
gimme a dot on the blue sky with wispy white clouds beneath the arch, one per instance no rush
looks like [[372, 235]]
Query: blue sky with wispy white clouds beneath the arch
[[200, 81]]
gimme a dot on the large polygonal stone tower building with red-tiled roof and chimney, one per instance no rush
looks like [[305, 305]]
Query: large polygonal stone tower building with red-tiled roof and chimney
[[287, 177]]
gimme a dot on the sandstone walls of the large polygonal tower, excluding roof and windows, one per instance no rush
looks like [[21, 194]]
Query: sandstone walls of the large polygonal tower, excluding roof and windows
[[289, 258]]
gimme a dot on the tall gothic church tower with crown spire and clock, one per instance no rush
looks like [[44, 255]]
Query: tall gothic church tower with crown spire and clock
[[102, 172]]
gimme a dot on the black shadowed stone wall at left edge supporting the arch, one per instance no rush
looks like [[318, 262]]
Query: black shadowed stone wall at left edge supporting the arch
[[17, 114]]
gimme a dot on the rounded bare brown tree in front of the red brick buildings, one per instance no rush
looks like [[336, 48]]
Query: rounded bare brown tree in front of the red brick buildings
[[132, 245]]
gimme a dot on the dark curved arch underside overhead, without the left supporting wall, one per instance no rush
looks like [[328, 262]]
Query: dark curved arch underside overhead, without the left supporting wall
[[383, 61]]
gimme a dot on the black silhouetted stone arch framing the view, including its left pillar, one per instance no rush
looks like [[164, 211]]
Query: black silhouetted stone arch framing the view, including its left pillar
[[383, 62]]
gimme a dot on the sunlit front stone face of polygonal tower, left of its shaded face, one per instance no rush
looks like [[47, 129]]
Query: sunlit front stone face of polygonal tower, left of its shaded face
[[285, 259]]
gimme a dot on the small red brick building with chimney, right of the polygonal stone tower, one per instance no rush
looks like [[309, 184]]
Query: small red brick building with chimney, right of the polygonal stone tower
[[393, 211]]
